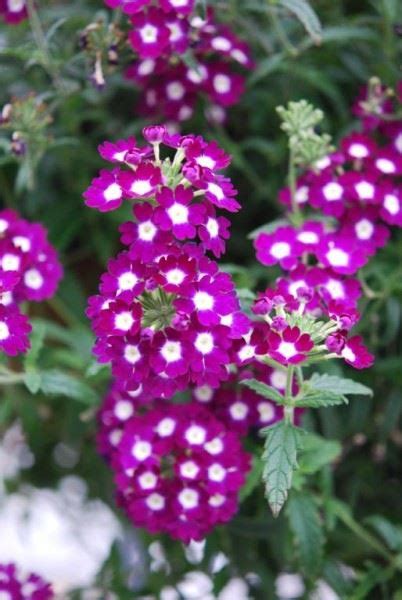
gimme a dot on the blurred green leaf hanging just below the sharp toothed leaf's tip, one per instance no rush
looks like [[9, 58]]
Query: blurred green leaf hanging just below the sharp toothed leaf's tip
[[305, 523]]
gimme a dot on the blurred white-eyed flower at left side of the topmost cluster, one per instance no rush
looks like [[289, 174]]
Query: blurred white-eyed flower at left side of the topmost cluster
[[150, 35]]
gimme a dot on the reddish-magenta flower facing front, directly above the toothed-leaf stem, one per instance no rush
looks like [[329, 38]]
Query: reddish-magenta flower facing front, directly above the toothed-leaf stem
[[290, 346]]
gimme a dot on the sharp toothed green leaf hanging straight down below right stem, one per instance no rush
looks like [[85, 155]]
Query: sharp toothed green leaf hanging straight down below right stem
[[280, 460]]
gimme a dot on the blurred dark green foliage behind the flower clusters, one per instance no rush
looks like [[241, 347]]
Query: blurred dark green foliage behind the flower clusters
[[324, 53]]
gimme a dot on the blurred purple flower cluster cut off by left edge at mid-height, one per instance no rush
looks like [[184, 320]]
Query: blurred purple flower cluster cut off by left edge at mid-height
[[29, 271]]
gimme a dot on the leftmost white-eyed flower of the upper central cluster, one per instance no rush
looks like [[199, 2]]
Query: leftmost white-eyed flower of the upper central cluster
[[105, 192]]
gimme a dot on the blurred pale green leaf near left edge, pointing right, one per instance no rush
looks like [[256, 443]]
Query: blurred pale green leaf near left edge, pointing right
[[57, 383]]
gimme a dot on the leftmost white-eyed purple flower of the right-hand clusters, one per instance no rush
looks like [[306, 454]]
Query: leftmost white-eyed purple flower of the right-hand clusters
[[279, 247]]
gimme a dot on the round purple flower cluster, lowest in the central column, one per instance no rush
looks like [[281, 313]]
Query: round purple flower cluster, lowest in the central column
[[178, 470]]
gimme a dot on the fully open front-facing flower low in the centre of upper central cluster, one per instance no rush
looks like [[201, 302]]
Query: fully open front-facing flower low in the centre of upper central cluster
[[176, 213]]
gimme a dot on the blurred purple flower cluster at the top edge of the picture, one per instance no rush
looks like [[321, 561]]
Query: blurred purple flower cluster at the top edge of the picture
[[180, 56]]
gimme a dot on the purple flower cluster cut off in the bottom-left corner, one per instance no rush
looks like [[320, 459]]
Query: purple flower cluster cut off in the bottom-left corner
[[15, 587]]
